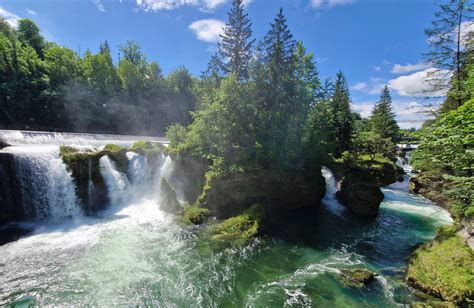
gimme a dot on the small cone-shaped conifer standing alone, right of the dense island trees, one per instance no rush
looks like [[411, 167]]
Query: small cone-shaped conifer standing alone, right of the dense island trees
[[382, 120]]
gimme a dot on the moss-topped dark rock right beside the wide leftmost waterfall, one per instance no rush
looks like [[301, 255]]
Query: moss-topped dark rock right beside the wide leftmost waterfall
[[85, 170]]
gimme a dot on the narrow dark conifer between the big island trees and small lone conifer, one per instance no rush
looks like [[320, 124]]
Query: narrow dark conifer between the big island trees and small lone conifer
[[342, 120]]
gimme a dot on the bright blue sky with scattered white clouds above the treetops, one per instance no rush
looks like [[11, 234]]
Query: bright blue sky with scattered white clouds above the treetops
[[374, 42]]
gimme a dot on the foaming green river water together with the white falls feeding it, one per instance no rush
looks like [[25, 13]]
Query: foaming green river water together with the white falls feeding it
[[135, 254]]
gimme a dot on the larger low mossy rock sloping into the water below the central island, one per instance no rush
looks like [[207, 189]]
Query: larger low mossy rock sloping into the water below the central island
[[239, 230]]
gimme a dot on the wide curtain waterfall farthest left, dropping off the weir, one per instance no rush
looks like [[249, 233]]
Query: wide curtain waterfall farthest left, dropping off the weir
[[46, 186]]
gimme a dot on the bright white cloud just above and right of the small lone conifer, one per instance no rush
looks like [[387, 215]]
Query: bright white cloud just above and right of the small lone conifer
[[418, 84]]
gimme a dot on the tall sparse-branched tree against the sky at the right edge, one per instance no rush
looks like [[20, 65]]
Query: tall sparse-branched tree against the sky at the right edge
[[447, 38]]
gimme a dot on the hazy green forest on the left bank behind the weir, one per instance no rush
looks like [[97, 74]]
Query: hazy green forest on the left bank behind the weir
[[45, 86]]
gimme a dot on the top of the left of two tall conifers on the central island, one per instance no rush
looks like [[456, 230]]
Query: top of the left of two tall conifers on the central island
[[236, 45]]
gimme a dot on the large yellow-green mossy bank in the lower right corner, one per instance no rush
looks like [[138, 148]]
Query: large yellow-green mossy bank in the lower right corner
[[444, 268]]
